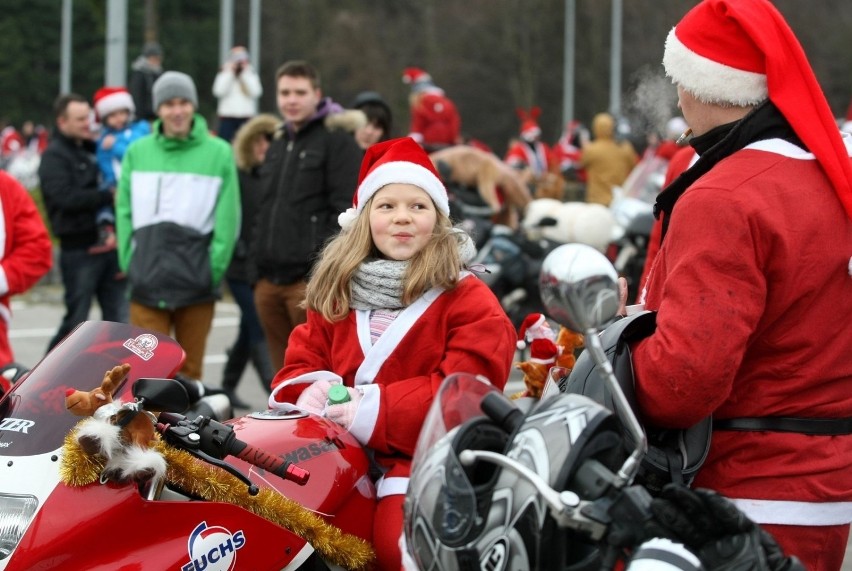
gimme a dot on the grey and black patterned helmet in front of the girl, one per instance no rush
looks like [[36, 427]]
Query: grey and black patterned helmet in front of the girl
[[469, 517]]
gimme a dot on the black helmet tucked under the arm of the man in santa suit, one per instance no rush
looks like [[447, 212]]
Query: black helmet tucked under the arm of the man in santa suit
[[673, 455]]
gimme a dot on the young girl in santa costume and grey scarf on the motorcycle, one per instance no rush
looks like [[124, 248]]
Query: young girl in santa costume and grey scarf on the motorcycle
[[391, 312]]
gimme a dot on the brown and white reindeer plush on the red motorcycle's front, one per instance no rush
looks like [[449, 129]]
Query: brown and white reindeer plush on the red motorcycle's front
[[121, 433]]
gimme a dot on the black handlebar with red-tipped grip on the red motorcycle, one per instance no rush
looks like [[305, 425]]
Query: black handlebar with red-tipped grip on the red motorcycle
[[218, 440]]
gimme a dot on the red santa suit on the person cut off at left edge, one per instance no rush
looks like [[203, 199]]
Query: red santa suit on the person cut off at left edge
[[26, 254]]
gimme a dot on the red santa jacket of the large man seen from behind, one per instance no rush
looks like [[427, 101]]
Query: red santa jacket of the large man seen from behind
[[754, 297]]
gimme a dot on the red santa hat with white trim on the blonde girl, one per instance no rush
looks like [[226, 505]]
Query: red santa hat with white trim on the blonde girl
[[395, 161]]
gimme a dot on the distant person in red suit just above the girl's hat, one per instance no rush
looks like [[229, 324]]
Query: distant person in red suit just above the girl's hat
[[435, 121]]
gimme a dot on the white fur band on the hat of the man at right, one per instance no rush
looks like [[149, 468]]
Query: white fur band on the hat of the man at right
[[710, 81]]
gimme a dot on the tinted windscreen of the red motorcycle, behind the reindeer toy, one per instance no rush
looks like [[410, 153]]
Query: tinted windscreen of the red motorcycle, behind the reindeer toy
[[33, 418]]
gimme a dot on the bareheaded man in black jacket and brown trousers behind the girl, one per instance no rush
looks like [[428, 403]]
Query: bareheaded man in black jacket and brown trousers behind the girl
[[310, 173]]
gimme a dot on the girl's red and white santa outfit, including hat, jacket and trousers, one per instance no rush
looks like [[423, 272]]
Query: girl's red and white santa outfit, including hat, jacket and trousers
[[443, 332]]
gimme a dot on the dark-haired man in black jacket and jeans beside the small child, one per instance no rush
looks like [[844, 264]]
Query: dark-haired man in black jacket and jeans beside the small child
[[70, 178]]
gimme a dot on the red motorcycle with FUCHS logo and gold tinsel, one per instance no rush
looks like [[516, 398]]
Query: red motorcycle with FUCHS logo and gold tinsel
[[279, 489]]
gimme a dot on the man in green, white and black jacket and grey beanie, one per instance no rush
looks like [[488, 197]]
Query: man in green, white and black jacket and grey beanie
[[177, 217]]
